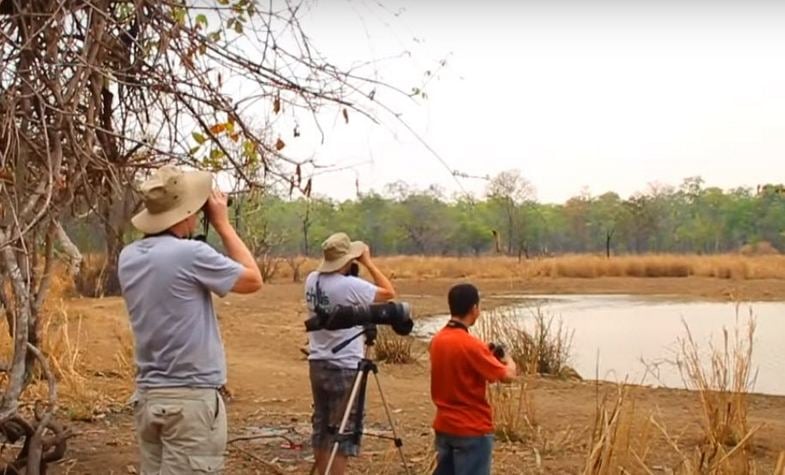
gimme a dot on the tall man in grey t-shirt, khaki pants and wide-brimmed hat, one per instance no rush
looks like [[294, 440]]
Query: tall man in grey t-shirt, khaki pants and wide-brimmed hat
[[167, 281]]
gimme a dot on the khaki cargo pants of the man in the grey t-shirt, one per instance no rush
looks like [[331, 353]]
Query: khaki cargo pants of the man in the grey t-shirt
[[180, 430]]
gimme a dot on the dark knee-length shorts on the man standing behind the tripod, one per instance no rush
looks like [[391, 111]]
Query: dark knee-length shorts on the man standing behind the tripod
[[331, 387]]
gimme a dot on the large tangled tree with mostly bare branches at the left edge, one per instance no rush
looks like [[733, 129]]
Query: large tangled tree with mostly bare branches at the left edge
[[93, 93]]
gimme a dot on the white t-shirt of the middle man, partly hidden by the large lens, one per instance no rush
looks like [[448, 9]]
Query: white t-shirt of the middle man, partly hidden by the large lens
[[337, 289]]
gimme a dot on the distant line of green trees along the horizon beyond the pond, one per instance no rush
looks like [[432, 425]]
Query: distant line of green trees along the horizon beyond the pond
[[690, 218]]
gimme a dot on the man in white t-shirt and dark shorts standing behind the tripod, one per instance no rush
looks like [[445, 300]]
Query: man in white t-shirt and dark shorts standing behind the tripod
[[332, 374]]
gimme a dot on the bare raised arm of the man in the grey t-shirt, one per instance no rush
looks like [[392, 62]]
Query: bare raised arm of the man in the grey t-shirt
[[250, 279]]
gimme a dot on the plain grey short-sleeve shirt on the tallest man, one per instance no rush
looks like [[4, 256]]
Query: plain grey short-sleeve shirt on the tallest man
[[167, 284]]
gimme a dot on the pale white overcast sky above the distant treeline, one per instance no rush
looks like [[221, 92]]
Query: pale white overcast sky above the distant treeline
[[604, 95]]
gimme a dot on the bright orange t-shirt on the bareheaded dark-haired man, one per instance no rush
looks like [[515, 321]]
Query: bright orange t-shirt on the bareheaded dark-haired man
[[460, 367]]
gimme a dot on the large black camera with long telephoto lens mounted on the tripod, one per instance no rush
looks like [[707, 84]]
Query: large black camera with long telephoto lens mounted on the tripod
[[395, 314]]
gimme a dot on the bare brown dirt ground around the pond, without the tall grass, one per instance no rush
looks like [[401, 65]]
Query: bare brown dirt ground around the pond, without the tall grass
[[268, 377]]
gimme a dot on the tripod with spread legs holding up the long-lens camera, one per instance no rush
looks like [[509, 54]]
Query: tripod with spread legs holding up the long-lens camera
[[364, 367]]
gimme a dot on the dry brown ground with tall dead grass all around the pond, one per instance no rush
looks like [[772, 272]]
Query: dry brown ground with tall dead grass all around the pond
[[546, 424]]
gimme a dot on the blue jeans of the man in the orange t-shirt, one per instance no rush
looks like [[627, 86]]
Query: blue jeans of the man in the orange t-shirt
[[463, 455]]
